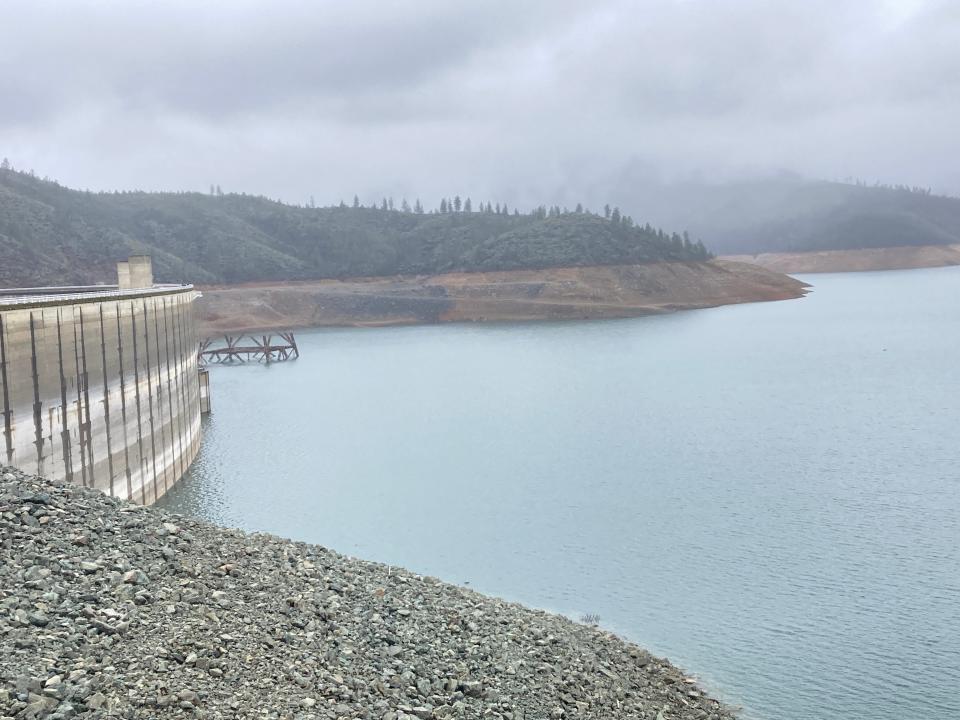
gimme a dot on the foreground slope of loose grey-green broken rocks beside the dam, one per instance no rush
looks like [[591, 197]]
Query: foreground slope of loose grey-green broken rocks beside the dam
[[109, 609]]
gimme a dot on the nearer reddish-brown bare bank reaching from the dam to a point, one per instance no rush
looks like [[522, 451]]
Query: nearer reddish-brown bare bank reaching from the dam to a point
[[519, 295]]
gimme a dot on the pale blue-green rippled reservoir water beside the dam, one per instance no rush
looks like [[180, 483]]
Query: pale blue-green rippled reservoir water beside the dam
[[767, 494]]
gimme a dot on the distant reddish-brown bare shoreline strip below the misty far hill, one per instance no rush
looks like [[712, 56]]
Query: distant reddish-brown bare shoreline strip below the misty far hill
[[894, 258]]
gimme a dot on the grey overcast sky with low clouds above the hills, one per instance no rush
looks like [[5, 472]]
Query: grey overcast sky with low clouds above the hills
[[527, 101]]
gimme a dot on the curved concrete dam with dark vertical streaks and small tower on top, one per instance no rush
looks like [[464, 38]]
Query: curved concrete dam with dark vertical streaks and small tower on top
[[99, 385]]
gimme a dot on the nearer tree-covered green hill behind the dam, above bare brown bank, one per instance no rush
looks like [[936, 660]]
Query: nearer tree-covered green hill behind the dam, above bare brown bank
[[50, 234]]
